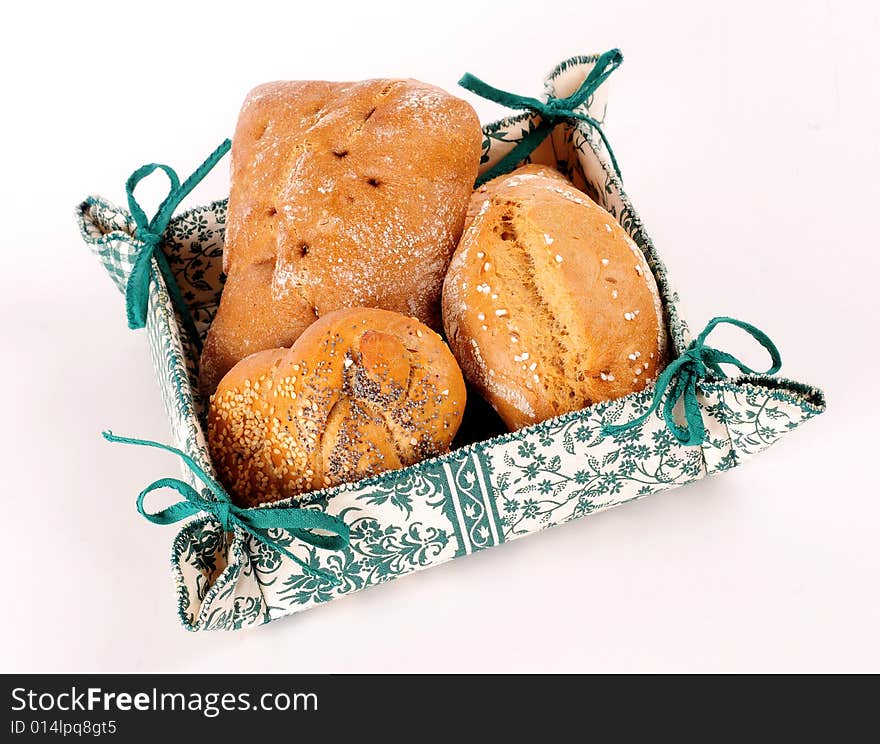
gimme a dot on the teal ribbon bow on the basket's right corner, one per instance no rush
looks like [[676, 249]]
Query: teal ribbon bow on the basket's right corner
[[679, 381]]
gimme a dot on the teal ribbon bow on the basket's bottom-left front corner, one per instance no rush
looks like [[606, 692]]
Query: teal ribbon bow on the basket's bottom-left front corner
[[257, 521]]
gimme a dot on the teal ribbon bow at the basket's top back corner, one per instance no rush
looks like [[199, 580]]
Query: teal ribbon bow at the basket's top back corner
[[552, 112]]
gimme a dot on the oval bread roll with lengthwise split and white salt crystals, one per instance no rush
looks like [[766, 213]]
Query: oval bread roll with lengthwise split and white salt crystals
[[549, 306]]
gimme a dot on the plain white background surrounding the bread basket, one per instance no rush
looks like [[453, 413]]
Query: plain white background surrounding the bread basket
[[748, 138]]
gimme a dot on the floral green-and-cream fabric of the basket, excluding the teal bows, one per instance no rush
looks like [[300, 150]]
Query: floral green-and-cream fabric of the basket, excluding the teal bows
[[477, 496]]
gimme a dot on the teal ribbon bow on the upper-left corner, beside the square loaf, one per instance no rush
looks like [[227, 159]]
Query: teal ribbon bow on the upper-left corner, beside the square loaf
[[150, 232]]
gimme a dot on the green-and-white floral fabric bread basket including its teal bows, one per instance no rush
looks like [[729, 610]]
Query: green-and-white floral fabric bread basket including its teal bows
[[237, 568]]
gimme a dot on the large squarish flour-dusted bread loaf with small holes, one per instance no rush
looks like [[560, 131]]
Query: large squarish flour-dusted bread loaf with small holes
[[342, 195]]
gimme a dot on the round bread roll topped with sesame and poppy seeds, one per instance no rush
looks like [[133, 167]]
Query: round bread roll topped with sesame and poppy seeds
[[361, 391]]
